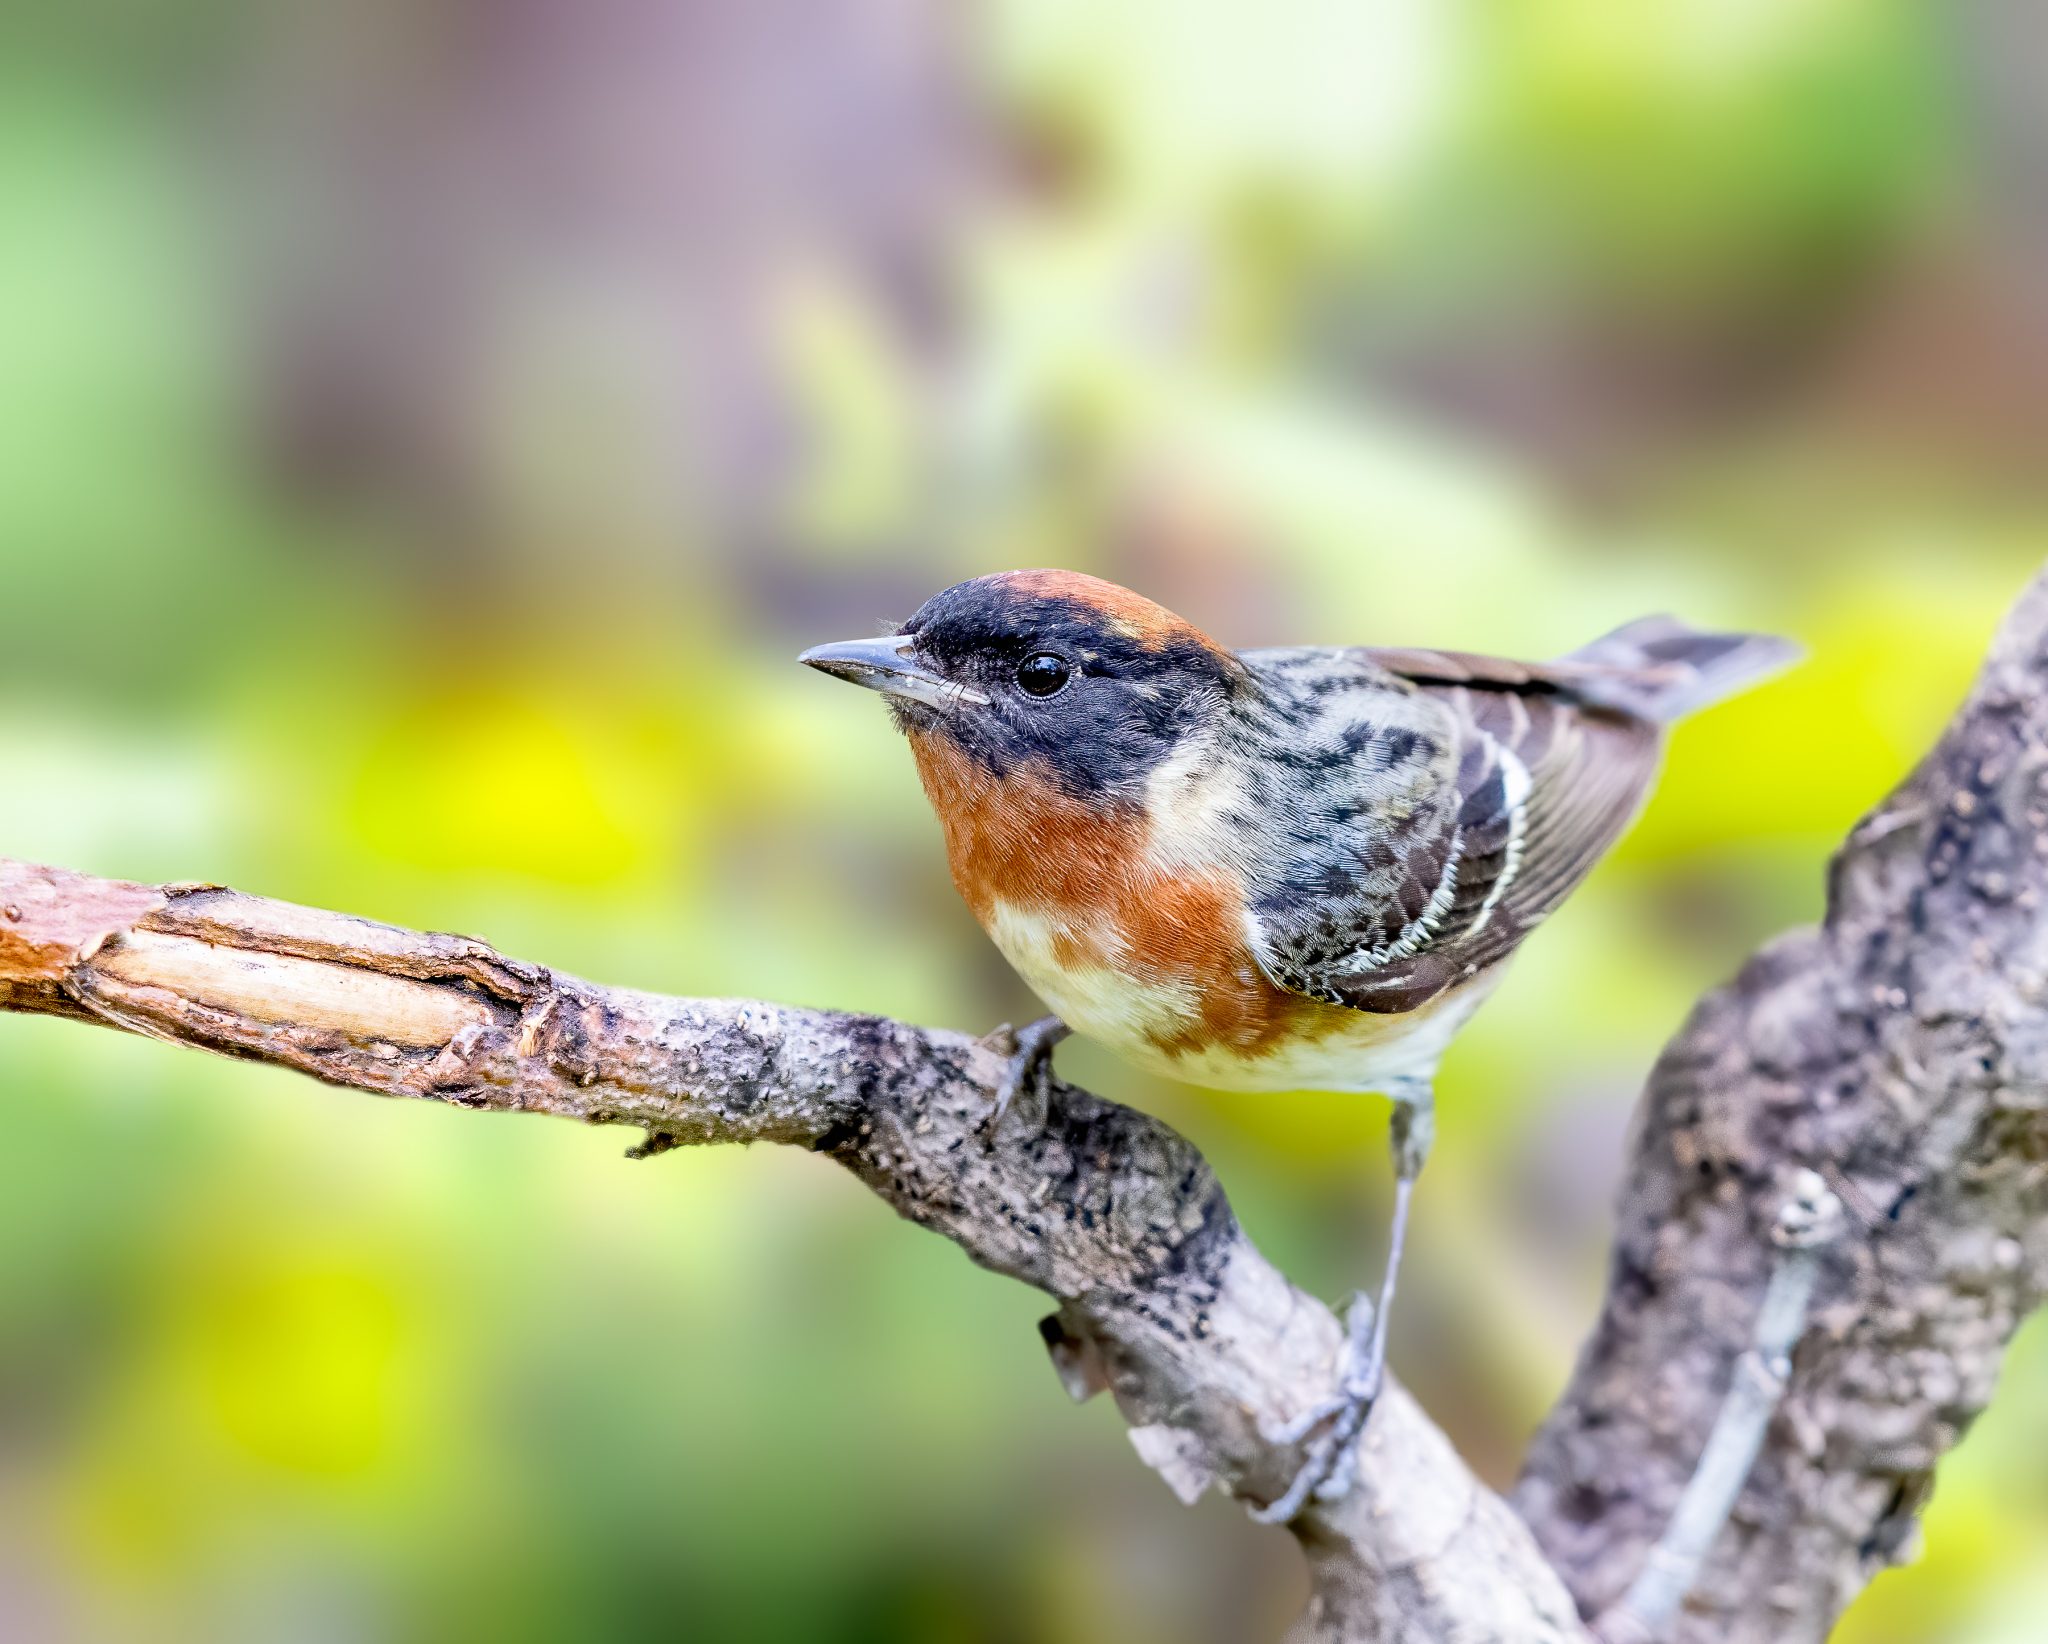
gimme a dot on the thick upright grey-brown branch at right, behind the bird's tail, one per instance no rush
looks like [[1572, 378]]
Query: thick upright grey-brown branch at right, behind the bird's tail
[[1902, 1051]]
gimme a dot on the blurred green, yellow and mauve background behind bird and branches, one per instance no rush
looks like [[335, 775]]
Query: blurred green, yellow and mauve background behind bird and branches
[[431, 427]]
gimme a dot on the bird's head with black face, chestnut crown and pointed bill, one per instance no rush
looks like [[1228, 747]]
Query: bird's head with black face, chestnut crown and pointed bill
[[1054, 673]]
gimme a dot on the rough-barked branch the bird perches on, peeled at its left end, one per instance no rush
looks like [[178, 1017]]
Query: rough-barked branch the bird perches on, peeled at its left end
[[1162, 1299]]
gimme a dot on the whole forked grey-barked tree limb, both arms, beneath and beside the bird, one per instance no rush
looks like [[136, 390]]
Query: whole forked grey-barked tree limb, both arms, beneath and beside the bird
[[1902, 1051]]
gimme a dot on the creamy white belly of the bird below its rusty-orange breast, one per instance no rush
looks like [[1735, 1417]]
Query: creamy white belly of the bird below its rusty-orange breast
[[1132, 1016]]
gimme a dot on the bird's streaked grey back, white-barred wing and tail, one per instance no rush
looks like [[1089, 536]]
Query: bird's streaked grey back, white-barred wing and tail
[[1414, 885]]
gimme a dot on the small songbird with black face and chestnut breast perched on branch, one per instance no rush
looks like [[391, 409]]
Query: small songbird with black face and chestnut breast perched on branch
[[1269, 871]]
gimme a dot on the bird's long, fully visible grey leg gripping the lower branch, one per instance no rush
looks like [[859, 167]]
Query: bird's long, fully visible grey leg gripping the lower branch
[[1334, 1453]]
